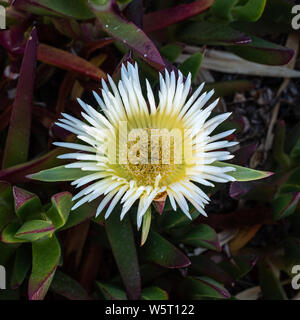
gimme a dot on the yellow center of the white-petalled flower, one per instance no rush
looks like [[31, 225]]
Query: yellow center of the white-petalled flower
[[150, 155]]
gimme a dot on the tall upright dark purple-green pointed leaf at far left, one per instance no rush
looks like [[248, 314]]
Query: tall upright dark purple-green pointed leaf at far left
[[17, 142]]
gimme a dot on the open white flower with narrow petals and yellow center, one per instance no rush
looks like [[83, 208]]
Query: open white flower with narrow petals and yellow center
[[107, 149]]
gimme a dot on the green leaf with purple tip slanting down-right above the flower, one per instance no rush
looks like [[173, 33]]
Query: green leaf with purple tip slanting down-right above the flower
[[127, 32]]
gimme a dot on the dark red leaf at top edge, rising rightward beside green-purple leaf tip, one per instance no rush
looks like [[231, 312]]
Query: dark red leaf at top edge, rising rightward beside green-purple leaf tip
[[163, 18]]
